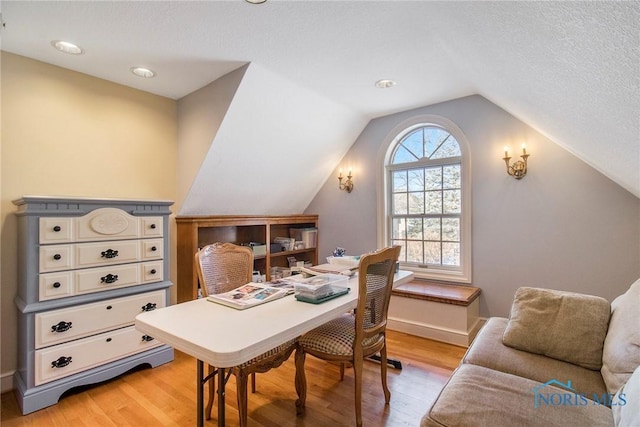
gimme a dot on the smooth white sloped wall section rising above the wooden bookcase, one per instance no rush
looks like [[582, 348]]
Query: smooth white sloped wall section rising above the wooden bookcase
[[271, 153]]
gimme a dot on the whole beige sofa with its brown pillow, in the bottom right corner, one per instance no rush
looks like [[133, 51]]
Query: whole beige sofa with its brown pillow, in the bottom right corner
[[561, 359]]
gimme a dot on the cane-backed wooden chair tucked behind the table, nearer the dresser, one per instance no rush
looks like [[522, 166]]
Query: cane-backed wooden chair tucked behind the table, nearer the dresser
[[221, 268]]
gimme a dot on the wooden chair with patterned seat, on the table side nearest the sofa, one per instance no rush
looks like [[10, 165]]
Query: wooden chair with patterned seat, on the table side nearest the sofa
[[352, 337]]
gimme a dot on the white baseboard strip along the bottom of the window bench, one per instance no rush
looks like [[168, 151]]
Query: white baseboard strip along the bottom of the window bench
[[438, 333]]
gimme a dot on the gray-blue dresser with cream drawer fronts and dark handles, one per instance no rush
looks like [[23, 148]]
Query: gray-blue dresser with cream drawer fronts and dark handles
[[86, 268]]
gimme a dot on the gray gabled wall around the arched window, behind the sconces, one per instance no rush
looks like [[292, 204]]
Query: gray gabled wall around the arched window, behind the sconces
[[563, 226]]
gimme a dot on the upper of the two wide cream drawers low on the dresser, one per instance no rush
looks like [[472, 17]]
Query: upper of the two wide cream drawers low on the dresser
[[58, 326]]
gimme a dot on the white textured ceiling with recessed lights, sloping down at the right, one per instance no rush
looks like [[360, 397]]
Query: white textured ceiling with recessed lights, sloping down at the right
[[569, 69]]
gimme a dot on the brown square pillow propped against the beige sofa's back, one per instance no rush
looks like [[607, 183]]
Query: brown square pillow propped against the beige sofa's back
[[563, 325]]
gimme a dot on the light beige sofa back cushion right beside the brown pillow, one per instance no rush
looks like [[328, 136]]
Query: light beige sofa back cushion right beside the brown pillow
[[621, 354]]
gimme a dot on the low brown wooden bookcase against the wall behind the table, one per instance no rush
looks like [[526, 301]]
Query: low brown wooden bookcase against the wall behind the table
[[195, 232]]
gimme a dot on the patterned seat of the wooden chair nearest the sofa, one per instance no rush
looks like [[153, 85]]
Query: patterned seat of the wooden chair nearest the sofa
[[334, 337]]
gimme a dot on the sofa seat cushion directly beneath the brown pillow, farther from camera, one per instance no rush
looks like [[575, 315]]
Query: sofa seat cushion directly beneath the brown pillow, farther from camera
[[488, 350]]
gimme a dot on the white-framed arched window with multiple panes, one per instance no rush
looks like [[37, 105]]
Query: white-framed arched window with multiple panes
[[427, 205]]
